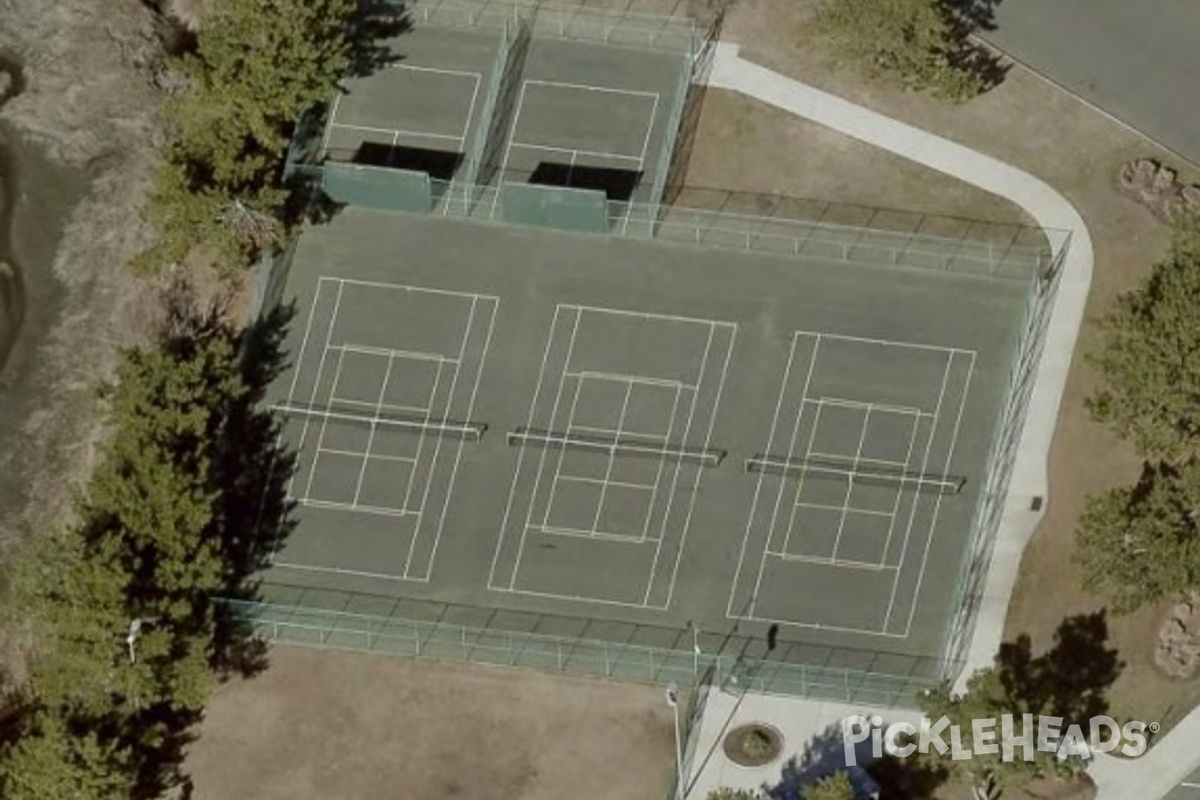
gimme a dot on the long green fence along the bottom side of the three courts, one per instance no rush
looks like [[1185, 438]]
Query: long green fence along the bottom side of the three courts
[[635, 653]]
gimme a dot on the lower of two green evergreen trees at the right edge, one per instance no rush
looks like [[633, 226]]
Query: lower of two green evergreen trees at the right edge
[[1141, 545]]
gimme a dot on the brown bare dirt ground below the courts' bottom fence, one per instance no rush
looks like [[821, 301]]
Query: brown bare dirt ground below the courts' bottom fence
[[322, 725]]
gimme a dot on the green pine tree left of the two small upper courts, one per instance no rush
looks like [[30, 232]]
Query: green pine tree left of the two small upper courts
[[259, 67]]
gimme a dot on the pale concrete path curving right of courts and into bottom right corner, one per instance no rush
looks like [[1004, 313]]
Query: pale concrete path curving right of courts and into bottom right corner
[[1173, 757]]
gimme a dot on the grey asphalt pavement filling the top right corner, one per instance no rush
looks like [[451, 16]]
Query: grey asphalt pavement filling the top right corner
[[1138, 61]]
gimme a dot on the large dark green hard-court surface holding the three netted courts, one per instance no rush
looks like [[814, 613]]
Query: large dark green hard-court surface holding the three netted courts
[[637, 434]]
